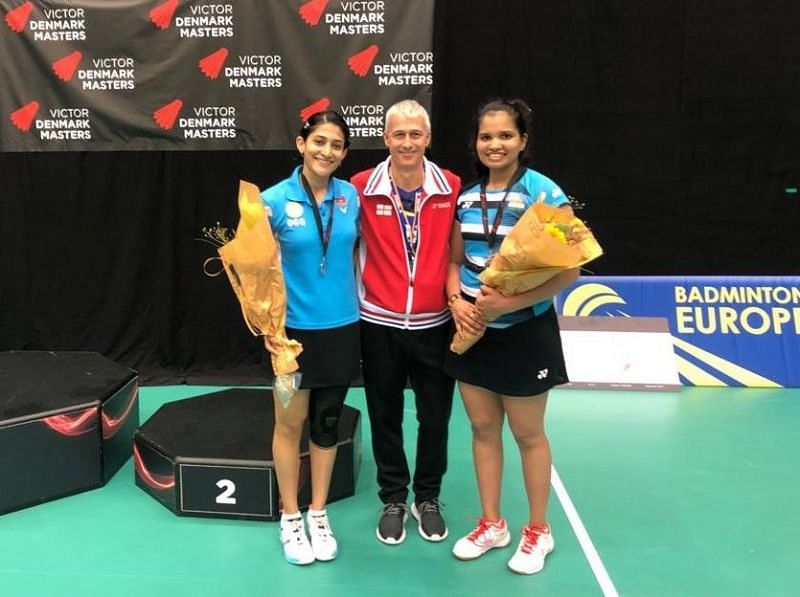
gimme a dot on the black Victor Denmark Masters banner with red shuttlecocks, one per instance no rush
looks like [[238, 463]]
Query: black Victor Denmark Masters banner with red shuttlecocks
[[202, 74]]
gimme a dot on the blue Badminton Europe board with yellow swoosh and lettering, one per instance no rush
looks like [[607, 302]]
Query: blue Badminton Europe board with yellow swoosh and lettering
[[727, 331]]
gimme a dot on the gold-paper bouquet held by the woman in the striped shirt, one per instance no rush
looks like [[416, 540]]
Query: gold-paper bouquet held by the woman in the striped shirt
[[545, 241]]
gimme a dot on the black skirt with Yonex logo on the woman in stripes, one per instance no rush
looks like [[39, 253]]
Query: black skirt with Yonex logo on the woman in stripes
[[525, 359]]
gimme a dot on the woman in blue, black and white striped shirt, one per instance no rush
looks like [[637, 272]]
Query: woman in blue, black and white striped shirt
[[509, 371]]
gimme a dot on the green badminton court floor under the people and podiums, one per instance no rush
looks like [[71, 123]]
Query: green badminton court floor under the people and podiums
[[660, 494]]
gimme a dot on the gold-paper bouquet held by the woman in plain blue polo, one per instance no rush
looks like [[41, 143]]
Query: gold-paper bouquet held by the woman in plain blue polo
[[252, 262]]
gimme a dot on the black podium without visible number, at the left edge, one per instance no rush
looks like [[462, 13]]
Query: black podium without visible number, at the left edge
[[66, 424]]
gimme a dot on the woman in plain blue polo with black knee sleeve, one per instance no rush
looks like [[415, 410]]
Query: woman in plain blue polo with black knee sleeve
[[314, 218]]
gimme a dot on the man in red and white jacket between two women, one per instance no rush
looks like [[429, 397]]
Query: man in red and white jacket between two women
[[407, 210]]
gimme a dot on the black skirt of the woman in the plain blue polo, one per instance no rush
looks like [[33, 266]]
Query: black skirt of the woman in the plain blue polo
[[330, 357]]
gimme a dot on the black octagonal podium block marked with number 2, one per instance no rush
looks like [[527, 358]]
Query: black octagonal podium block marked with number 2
[[211, 456]]
